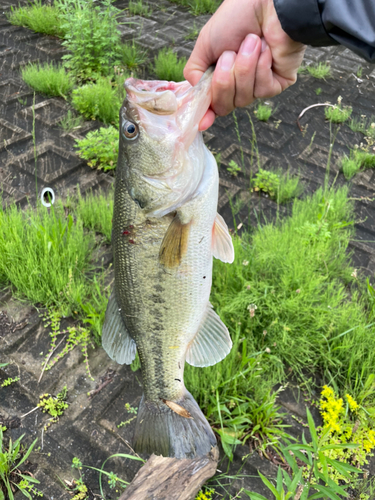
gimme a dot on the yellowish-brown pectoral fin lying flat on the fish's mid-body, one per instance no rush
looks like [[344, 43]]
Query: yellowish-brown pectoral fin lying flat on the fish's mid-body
[[174, 244]]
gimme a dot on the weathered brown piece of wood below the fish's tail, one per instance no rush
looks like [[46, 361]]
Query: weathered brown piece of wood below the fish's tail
[[163, 478]]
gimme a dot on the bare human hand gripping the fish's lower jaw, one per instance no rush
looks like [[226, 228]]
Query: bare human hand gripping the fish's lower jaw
[[254, 56]]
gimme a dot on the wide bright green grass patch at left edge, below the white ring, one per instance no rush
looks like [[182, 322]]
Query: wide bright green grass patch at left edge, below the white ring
[[44, 256]]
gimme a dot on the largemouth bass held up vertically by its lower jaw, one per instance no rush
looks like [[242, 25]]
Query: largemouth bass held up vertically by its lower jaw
[[166, 231]]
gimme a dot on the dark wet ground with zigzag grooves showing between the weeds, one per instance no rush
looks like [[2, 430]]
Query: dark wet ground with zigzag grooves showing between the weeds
[[88, 428]]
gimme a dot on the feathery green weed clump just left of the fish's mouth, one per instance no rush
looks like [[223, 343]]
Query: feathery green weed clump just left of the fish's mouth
[[98, 100]]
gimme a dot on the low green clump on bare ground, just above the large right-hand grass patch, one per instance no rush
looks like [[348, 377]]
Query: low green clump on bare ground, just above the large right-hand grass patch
[[279, 186]]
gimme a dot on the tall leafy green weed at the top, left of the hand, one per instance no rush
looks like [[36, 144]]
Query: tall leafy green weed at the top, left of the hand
[[92, 37]]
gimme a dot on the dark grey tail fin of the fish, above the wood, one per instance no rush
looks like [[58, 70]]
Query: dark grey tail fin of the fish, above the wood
[[173, 429]]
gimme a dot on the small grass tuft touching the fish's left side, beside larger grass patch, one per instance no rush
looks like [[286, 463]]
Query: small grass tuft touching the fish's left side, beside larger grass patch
[[96, 211]]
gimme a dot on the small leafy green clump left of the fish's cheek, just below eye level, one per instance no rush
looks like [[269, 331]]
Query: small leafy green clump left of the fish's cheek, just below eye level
[[100, 148]]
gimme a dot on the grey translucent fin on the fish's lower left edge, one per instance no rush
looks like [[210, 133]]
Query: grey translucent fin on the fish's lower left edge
[[116, 340]]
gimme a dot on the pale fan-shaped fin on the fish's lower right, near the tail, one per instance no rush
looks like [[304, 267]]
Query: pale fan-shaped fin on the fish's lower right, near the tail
[[212, 342]]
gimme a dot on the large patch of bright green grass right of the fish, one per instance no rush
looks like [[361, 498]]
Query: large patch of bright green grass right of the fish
[[292, 306]]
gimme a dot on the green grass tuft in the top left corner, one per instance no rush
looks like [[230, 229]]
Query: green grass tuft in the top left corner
[[38, 17]]
